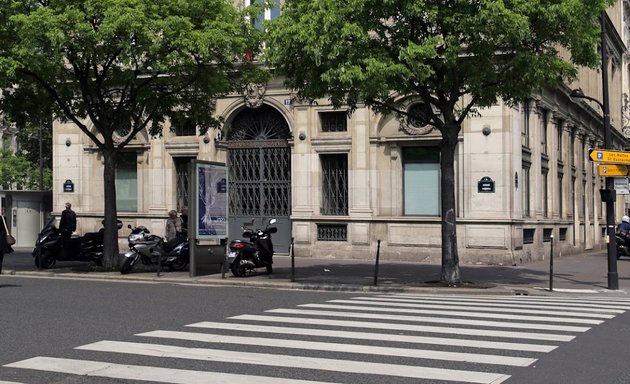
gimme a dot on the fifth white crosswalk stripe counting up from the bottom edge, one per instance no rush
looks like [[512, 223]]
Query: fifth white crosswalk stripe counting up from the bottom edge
[[408, 327]]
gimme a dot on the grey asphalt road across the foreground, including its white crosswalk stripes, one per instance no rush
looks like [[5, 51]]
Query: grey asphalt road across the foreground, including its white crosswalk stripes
[[99, 321]]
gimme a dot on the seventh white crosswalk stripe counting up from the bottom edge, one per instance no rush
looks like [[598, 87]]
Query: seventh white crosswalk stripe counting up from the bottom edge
[[482, 315]]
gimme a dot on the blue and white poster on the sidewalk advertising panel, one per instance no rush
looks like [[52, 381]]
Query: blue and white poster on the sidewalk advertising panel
[[212, 201]]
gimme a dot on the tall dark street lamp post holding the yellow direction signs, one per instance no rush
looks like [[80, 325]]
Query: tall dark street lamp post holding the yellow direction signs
[[608, 193]]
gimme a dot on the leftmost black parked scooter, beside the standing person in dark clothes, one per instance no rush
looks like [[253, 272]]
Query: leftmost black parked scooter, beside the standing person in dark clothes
[[51, 247]]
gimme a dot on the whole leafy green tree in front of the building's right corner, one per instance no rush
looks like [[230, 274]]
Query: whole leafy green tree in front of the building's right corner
[[455, 56]]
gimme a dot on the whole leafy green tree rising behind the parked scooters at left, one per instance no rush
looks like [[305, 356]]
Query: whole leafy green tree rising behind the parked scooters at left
[[117, 67]]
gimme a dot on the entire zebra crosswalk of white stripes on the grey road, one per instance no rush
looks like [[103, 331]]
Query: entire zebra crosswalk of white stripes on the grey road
[[401, 338]]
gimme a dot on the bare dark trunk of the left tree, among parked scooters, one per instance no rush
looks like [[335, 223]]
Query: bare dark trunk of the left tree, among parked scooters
[[110, 243]]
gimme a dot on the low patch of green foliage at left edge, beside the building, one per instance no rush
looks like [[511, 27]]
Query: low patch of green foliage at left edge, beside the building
[[17, 172]]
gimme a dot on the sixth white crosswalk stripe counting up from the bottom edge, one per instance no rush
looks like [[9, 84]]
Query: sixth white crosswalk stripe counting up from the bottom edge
[[440, 320]]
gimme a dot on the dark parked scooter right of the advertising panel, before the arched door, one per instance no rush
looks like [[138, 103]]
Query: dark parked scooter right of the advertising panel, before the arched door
[[245, 256]]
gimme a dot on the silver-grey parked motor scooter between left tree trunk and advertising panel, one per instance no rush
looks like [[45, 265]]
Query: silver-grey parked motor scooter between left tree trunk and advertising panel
[[152, 250]]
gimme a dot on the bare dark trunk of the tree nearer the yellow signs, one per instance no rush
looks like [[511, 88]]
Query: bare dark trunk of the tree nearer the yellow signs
[[450, 257]]
